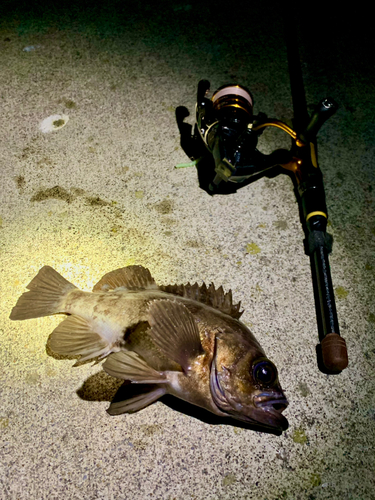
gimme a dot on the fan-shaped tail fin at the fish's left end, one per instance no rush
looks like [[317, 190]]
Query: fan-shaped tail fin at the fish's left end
[[47, 291]]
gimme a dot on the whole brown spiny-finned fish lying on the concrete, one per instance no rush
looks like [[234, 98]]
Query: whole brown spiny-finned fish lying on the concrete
[[183, 340]]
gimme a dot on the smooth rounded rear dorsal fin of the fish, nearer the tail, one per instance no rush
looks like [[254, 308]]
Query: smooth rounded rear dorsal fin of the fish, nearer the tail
[[130, 277]]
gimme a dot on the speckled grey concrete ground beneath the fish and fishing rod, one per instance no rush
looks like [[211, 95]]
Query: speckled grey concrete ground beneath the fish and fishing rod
[[101, 193]]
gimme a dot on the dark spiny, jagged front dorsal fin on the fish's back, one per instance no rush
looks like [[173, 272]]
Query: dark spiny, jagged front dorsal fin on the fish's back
[[209, 296]]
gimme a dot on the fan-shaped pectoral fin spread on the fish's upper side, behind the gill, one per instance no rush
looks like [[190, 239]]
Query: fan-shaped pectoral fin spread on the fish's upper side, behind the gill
[[174, 331]]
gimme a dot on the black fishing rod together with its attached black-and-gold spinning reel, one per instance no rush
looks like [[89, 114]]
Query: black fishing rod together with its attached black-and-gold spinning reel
[[224, 149]]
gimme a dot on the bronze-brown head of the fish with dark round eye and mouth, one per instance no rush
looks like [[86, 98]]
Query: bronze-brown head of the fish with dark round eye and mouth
[[244, 384]]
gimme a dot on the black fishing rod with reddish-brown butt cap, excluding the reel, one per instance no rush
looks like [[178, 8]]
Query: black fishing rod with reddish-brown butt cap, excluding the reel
[[332, 350]]
